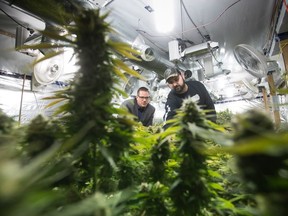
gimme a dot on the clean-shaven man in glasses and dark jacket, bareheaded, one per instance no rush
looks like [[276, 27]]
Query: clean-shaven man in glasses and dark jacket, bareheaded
[[141, 107]]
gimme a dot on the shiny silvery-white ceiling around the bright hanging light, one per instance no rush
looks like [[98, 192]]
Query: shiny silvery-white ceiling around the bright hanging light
[[224, 21]]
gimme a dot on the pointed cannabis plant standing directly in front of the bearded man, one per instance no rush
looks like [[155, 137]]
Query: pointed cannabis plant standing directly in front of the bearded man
[[189, 192]]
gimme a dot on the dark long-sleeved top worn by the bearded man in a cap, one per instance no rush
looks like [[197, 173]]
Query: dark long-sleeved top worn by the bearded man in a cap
[[198, 92]]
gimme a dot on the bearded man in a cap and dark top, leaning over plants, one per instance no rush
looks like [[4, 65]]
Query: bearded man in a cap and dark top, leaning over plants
[[181, 89]]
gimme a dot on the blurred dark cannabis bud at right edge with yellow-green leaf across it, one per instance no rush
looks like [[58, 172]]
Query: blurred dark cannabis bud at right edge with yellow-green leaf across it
[[262, 157]]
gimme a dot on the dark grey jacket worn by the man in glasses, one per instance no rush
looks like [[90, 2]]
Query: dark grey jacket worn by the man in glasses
[[144, 115]]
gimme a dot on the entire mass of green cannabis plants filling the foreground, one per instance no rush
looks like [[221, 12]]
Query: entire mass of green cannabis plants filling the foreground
[[94, 159]]
